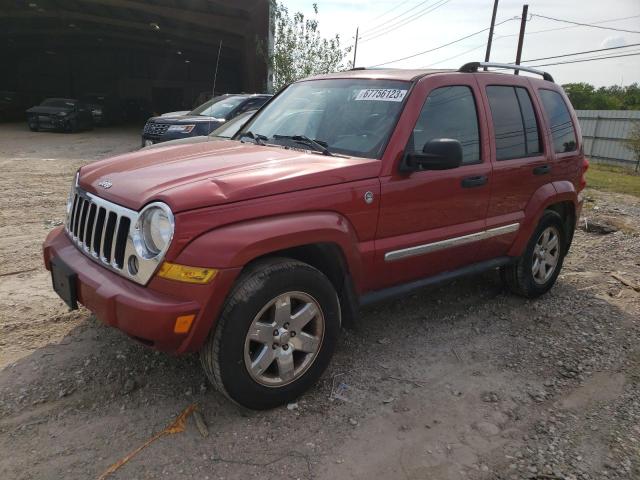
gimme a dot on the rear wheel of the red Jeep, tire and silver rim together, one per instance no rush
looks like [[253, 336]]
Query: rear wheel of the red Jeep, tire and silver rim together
[[537, 269]]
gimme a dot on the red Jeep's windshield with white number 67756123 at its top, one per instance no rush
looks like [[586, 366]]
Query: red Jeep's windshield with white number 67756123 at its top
[[348, 116]]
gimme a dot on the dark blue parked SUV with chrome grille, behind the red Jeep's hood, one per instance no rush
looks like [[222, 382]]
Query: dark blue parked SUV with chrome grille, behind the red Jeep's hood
[[201, 121]]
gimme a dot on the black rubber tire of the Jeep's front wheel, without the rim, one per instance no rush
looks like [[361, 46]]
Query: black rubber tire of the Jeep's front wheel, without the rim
[[223, 354]]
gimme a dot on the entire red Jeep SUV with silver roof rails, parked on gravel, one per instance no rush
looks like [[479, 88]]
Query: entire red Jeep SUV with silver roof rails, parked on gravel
[[344, 189]]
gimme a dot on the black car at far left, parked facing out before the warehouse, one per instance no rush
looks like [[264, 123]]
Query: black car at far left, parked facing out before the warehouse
[[64, 114]]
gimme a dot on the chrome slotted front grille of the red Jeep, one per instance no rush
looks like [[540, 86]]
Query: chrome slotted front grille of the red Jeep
[[102, 230]]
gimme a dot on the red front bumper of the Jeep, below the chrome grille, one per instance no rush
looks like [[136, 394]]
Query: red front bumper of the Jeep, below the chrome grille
[[146, 313]]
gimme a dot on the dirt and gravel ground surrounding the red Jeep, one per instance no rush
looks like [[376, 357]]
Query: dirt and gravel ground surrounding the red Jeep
[[462, 381]]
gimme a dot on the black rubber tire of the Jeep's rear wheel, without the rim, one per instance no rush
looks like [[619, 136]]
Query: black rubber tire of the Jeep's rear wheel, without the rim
[[519, 277]]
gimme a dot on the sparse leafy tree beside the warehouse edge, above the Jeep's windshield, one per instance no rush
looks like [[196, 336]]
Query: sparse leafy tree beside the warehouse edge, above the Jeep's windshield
[[299, 50]]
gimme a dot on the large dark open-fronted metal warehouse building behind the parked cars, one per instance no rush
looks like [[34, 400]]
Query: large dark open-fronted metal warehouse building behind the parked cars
[[159, 52]]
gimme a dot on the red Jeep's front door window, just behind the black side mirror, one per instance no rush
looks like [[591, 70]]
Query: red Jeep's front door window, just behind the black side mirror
[[450, 112]]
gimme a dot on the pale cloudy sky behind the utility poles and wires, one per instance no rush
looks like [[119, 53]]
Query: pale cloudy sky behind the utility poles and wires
[[385, 36]]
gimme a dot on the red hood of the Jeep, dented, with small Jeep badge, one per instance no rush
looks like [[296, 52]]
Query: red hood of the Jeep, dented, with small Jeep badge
[[213, 173]]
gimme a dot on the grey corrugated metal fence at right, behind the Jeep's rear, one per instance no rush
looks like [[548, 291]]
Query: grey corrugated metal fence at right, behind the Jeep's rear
[[604, 132]]
